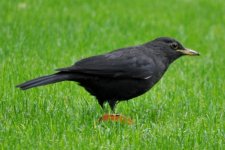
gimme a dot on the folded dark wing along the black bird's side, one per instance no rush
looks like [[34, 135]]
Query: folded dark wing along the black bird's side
[[119, 64]]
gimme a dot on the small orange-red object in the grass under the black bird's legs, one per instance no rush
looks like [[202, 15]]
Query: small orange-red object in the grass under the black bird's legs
[[116, 118]]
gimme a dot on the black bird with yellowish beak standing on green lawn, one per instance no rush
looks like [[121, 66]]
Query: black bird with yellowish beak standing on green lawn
[[121, 74]]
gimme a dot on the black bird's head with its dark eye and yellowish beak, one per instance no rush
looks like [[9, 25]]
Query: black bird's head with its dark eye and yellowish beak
[[171, 48]]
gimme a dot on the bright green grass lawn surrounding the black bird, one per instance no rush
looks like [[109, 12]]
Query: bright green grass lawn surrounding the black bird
[[185, 110]]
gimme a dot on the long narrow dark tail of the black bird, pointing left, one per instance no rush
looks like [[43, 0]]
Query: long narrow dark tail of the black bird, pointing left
[[49, 79]]
